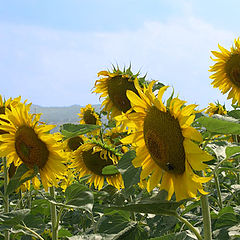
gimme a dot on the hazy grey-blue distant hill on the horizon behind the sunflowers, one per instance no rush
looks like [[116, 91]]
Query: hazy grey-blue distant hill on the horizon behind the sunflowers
[[60, 115]]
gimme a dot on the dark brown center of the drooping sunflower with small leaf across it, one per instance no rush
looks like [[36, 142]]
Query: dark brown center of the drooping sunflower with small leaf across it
[[95, 163]]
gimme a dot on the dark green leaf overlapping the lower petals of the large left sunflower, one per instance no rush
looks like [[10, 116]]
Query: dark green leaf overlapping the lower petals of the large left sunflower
[[17, 180]]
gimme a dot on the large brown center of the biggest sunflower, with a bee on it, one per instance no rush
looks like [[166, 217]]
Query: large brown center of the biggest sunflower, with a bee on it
[[164, 140]]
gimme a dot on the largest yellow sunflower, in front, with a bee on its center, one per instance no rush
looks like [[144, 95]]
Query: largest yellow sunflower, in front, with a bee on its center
[[164, 143]]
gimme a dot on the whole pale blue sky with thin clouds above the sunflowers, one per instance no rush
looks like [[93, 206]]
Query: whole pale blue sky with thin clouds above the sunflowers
[[51, 51]]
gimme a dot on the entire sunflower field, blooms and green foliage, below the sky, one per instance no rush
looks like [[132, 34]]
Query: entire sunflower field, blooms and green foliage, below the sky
[[147, 166]]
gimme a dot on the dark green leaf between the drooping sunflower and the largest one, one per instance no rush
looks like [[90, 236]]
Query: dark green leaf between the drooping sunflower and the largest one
[[130, 174]]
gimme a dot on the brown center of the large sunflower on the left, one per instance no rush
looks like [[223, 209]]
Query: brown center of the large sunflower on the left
[[30, 149]]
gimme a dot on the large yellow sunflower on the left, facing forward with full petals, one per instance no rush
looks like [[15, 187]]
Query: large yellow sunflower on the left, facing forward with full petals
[[27, 141]]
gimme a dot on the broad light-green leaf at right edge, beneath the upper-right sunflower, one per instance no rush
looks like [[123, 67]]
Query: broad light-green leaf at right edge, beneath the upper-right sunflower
[[220, 124]]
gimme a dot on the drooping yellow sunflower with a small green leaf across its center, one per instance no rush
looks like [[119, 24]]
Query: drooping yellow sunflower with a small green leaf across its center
[[90, 159]]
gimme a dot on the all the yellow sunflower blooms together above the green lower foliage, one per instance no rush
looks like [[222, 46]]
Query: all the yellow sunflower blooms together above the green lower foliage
[[168, 148]]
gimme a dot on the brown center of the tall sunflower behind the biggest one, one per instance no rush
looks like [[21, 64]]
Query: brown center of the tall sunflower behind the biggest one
[[117, 88]]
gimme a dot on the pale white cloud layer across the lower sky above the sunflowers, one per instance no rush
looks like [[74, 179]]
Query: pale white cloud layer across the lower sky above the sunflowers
[[59, 68]]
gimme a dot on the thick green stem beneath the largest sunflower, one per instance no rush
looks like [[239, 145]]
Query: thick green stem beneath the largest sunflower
[[206, 218]]
